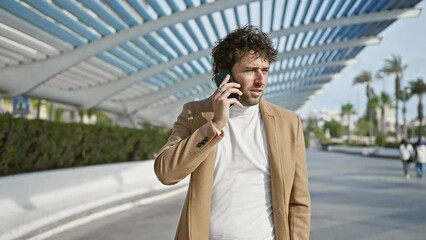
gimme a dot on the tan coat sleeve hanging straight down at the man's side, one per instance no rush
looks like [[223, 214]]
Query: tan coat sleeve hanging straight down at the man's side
[[300, 201]]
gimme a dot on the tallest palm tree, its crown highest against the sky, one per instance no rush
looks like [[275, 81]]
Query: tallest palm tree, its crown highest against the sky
[[395, 66]]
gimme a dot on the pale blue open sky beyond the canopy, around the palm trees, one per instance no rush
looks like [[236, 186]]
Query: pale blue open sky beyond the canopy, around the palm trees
[[405, 37]]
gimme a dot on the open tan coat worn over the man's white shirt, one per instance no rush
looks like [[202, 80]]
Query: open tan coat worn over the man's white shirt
[[191, 150]]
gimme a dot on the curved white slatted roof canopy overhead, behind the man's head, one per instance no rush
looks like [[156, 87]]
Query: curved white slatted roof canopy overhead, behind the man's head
[[142, 60]]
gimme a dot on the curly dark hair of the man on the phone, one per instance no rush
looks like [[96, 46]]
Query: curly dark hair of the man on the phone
[[226, 52]]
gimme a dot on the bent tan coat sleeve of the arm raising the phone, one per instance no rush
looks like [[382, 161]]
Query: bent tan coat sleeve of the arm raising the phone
[[185, 150]]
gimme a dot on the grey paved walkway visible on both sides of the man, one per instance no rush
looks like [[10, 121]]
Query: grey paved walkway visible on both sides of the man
[[353, 197]]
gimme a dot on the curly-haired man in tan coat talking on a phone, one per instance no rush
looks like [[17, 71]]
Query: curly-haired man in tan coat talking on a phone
[[246, 157]]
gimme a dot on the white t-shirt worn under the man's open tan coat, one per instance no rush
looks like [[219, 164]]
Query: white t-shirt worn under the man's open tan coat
[[241, 200]]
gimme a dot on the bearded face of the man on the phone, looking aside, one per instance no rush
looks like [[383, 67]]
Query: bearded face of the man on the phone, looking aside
[[251, 73]]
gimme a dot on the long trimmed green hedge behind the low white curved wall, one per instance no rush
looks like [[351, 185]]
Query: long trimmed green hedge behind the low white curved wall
[[36, 145]]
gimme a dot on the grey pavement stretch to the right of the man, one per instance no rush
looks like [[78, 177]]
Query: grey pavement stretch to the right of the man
[[356, 197]]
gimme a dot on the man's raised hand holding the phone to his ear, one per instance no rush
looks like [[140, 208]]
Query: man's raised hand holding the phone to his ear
[[221, 102]]
